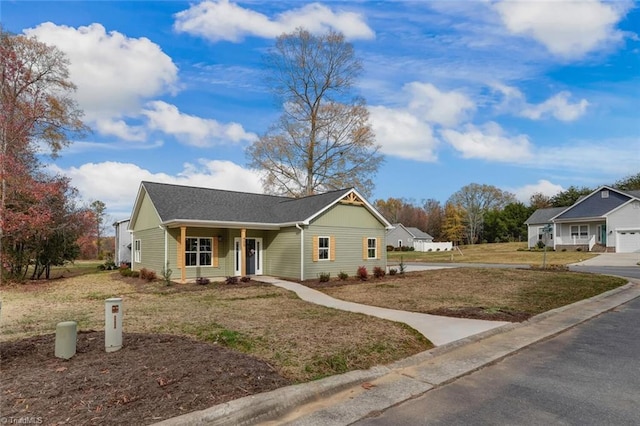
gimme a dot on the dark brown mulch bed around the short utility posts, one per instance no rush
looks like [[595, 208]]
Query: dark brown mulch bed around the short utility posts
[[152, 378]]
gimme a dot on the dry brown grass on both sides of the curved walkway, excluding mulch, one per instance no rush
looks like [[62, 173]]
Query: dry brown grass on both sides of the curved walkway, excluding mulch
[[301, 340]]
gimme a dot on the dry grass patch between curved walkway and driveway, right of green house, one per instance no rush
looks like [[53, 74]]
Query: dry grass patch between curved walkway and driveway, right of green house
[[517, 290]]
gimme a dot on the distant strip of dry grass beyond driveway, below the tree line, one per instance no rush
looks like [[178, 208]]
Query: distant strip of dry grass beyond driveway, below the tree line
[[506, 253]]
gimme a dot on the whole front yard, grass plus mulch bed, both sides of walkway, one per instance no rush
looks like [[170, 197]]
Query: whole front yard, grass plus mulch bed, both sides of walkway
[[187, 347]]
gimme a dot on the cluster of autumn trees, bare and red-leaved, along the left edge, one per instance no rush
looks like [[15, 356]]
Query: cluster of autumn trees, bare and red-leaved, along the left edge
[[42, 224]]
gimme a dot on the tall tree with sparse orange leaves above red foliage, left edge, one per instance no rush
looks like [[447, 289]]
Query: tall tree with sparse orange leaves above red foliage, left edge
[[36, 106]]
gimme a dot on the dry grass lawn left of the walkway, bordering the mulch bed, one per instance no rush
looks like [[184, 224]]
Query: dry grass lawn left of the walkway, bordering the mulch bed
[[302, 341]]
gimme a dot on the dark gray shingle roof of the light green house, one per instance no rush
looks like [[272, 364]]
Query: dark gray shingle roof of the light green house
[[177, 202]]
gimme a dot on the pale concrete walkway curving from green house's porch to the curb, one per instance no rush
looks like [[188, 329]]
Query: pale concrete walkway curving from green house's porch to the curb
[[439, 330]]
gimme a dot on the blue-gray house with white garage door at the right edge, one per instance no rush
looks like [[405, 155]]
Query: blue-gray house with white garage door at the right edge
[[608, 219]]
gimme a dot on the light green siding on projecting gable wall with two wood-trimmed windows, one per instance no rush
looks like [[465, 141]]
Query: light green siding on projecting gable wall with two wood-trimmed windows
[[348, 224]]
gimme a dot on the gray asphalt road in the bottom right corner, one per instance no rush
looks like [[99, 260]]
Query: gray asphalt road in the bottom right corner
[[589, 375]]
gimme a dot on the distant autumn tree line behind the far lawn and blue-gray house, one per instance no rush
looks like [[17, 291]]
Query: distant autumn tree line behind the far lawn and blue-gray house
[[482, 213]]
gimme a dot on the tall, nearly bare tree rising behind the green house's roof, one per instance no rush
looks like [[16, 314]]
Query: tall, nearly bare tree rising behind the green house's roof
[[323, 139]]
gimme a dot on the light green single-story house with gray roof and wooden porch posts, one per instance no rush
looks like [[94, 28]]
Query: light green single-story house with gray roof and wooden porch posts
[[211, 233]]
